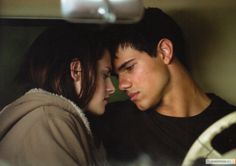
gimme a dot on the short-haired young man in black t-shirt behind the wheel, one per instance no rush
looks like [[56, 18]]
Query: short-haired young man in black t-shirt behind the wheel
[[149, 59]]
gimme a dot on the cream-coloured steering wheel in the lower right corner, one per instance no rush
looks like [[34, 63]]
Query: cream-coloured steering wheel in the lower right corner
[[202, 147]]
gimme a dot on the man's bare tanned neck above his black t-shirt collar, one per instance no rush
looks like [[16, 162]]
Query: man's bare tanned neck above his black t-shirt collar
[[182, 98]]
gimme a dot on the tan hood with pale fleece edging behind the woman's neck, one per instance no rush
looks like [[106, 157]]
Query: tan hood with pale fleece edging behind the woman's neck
[[30, 101]]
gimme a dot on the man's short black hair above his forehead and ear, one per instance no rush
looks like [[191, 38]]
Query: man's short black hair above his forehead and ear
[[145, 35]]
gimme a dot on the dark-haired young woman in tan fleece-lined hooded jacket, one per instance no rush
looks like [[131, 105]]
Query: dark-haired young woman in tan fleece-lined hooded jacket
[[66, 73]]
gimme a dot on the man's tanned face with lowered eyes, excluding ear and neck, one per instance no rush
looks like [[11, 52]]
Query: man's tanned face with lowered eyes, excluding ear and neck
[[142, 77]]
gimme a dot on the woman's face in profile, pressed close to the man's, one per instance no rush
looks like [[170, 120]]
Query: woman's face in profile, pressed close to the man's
[[104, 86]]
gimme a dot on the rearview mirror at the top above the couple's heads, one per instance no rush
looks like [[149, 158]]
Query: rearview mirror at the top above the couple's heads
[[102, 11]]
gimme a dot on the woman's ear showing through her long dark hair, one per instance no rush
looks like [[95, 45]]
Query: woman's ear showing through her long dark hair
[[75, 70]]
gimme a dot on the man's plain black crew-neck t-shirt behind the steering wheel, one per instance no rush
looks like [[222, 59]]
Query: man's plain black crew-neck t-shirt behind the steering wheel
[[132, 136]]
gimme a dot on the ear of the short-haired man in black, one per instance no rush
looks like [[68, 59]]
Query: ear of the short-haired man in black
[[165, 50]]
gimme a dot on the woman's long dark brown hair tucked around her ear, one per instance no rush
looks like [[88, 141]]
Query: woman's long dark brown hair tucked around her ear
[[47, 62]]
